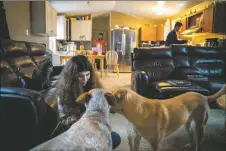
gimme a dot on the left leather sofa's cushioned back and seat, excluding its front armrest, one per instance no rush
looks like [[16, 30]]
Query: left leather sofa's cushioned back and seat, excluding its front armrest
[[25, 60]]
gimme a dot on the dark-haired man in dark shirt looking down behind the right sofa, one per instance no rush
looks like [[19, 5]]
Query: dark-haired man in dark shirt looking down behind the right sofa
[[172, 36]]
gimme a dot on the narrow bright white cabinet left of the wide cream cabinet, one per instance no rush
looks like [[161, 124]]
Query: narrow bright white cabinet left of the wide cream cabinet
[[61, 28]]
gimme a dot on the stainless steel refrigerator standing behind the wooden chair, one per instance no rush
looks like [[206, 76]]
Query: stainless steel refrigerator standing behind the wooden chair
[[123, 41]]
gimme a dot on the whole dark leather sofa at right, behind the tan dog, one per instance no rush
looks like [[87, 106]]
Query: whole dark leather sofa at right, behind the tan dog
[[203, 68]]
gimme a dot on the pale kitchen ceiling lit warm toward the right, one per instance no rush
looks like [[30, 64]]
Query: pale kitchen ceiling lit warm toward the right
[[148, 9]]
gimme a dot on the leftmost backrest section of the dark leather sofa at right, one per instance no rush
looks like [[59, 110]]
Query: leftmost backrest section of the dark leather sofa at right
[[156, 62]]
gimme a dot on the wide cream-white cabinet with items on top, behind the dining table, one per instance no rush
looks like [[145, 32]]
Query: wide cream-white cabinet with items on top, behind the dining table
[[79, 28]]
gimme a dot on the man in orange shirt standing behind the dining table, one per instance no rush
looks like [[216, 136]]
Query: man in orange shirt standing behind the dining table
[[100, 42]]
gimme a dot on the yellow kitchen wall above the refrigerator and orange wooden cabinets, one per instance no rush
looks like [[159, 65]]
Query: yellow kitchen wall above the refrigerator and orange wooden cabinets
[[132, 21]]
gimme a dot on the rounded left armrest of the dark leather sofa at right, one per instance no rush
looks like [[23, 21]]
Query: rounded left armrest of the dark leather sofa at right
[[139, 82]]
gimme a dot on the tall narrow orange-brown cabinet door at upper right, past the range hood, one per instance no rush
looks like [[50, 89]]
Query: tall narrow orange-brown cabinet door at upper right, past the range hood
[[208, 19]]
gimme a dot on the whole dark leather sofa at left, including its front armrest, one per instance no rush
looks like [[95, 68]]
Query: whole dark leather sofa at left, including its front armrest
[[25, 114]]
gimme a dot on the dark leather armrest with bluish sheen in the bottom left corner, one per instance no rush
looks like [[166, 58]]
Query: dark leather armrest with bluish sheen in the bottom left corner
[[26, 119]]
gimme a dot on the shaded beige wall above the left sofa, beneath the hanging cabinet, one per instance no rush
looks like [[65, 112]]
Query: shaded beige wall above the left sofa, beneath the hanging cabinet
[[18, 19]]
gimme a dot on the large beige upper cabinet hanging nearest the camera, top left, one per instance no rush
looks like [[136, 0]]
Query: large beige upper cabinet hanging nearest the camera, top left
[[43, 18]]
